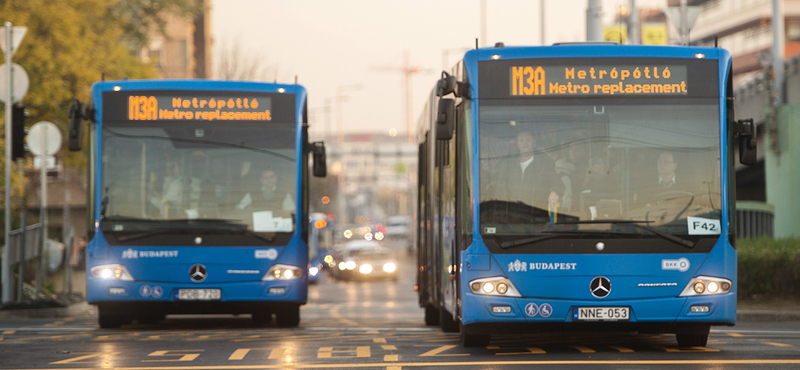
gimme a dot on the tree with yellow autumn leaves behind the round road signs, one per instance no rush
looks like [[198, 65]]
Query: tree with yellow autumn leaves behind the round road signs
[[69, 45]]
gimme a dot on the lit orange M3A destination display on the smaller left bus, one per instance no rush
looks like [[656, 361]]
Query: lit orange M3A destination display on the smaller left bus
[[186, 107]]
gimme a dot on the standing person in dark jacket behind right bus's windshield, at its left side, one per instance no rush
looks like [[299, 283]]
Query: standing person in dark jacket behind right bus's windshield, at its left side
[[530, 178]]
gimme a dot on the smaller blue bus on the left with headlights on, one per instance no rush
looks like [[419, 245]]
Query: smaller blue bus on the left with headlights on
[[197, 199]]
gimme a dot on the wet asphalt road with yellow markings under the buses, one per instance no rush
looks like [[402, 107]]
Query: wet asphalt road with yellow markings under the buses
[[369, 325]]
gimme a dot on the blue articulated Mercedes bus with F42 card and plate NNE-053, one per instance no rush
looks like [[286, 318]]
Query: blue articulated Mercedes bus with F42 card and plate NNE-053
[[580, 186]]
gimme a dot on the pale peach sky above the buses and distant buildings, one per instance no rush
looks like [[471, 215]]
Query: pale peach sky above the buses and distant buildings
[[358, 48]]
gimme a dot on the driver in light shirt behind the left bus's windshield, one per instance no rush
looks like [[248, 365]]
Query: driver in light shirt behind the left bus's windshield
[[268, 197]]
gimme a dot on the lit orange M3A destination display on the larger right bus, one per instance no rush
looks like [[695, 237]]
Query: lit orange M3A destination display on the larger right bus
[[595, 81]]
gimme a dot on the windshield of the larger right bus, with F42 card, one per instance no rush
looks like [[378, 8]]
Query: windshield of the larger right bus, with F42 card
[[599, 166]]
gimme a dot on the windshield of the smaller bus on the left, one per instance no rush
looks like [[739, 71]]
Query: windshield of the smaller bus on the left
[[161, 176]]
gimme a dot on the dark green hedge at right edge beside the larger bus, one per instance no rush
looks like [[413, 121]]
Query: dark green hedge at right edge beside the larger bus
[[768, 268]]
